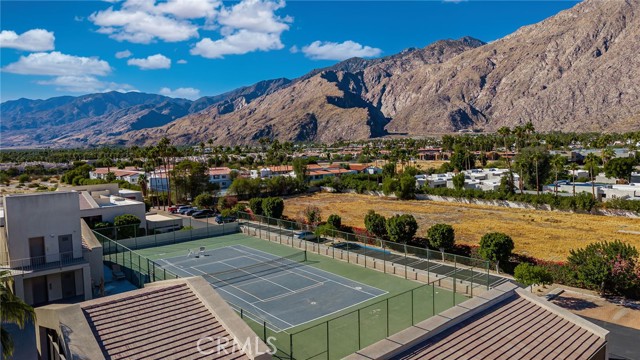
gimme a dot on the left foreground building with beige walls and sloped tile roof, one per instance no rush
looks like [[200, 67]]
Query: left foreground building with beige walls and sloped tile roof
[[173, 319]]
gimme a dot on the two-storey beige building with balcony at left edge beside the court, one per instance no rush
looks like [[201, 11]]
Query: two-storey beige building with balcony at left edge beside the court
[[50, 251]]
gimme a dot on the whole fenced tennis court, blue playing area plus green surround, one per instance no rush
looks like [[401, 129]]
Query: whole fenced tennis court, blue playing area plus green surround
[[331, 333]]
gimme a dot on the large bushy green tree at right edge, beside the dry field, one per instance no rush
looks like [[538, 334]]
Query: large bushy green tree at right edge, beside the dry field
[[608, 267]]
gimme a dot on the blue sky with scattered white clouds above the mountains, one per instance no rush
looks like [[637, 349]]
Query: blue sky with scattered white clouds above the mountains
[[192, 48]]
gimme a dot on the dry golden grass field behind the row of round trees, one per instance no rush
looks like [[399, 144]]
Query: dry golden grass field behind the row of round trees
[[541, 234]]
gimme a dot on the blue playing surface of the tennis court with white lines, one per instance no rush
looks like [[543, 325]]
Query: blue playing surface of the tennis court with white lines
[[284, 291]]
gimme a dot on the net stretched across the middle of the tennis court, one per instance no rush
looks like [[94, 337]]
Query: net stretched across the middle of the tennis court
[[257, 270]]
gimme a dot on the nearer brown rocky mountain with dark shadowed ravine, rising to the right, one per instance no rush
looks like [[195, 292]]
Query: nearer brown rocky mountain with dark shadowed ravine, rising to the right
[[576, 71]]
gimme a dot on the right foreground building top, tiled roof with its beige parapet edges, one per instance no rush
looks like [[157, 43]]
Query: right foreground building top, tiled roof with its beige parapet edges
[[504, 323]]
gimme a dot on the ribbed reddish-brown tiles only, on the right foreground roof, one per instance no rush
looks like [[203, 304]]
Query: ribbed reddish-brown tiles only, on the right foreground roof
[[514, 329]]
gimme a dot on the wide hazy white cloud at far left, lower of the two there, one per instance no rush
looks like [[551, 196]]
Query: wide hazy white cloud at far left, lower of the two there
[[58, 64]]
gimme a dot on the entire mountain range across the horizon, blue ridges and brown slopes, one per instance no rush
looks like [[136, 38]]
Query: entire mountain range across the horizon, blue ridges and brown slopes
[[576, 71]]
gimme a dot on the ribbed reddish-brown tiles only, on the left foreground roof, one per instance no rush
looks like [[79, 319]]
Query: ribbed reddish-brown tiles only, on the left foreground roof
[[157, 323]]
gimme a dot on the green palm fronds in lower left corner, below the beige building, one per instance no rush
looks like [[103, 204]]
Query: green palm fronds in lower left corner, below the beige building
[[12, 310]]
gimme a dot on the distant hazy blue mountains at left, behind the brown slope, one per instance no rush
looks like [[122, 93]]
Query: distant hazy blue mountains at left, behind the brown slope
[[102, 118]]
